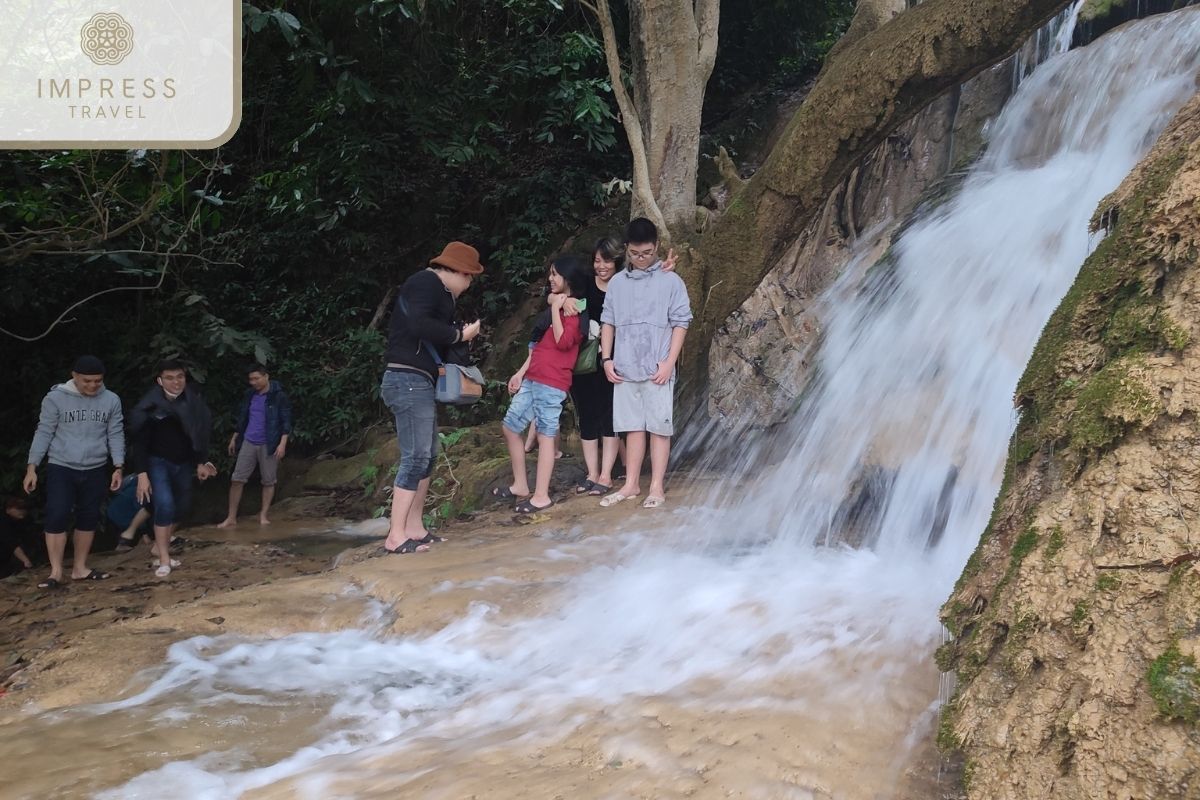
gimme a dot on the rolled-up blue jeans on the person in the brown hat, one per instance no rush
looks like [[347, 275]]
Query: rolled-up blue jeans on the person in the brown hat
[[411, 399]]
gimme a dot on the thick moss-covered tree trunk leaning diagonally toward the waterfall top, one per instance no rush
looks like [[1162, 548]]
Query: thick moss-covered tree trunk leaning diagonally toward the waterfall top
[[867, 92]]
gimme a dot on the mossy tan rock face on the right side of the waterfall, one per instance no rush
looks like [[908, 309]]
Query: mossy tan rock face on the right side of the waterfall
[[1077, 623]]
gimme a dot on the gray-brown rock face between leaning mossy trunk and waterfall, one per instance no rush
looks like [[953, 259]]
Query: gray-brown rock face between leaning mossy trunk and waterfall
[[760, 358]]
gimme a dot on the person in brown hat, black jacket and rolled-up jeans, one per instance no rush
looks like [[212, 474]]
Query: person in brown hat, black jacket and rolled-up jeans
[[423, 318]]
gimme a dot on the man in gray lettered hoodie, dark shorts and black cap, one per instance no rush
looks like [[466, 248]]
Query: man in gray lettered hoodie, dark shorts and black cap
[[80, 429]]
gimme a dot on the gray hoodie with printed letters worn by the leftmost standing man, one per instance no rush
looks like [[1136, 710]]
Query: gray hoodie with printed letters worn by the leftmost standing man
[[77, 431]]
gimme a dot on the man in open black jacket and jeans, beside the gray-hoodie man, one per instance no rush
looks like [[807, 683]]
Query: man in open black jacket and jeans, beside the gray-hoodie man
[[170, 431]]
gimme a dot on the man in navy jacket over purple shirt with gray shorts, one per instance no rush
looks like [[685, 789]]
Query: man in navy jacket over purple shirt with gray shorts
[[261, 441]]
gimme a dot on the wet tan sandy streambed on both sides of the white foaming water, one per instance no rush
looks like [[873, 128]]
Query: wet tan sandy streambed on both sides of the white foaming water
[[813, 738]]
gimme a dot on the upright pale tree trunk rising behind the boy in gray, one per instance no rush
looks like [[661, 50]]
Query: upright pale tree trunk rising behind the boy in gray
[[673, 47]]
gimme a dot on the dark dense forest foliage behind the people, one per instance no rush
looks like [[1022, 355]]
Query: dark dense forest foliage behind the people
[[373, 133]]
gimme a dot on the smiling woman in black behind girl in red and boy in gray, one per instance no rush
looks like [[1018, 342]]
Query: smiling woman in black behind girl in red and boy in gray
[[592, 393]]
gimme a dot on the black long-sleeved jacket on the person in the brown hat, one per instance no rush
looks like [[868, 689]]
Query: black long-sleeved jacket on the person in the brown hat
[[430, 317]]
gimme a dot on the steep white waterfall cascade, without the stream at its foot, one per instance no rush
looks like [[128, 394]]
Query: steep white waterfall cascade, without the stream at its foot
[[901, 440]]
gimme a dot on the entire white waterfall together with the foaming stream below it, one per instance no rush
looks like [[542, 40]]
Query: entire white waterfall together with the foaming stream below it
[[775, 637]]
